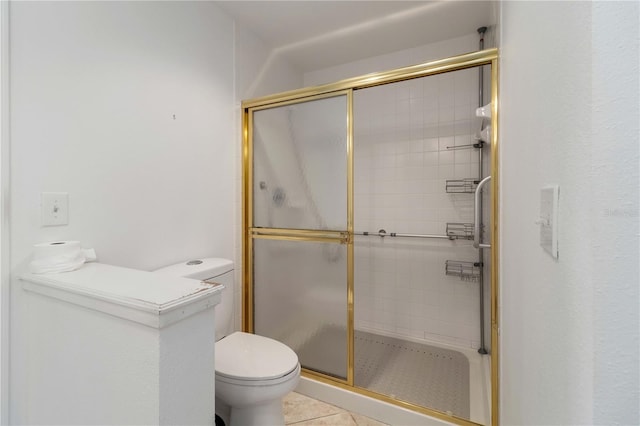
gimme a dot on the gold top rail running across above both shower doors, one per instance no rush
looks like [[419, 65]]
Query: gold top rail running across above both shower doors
[[454, 63]]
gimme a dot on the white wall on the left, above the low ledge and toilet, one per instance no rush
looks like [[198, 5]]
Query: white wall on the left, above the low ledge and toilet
[[94, 89]]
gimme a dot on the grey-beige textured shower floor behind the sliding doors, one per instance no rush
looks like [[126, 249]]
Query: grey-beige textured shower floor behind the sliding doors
[[425, 375]]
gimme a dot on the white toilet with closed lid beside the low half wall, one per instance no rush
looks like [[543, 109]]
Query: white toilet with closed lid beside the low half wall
[[253, 372]]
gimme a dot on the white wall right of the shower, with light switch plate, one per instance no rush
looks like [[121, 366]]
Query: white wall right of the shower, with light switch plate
[[569, 116]]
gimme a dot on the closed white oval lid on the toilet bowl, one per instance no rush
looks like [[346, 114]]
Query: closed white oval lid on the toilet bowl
[[252, 357]]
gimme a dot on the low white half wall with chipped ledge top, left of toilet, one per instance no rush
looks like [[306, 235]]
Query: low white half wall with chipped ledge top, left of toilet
[[111, 345]]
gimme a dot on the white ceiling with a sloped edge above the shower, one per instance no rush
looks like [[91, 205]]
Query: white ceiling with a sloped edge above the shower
[[318, 34]]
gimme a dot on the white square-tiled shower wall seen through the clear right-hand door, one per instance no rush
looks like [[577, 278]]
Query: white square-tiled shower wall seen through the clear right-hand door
[[401, 164]]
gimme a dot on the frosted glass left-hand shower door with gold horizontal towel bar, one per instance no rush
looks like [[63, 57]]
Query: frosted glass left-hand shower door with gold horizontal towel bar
[[298, 228]]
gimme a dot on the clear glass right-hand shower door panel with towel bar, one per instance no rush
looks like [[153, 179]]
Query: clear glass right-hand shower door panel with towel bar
[[420, 151]]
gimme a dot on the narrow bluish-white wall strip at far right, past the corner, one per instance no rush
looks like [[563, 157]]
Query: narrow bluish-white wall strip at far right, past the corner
[[616, 131]]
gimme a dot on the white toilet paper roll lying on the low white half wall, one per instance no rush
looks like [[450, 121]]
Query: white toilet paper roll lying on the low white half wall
[[57, 256]]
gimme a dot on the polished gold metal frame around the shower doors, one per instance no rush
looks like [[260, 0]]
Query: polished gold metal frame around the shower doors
[[249, 233]]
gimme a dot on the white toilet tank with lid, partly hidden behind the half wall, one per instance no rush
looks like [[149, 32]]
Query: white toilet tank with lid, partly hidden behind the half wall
[[215, 270]]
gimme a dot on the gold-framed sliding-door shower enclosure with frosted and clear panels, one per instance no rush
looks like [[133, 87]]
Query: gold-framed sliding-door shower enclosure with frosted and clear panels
[[369, 233]]
